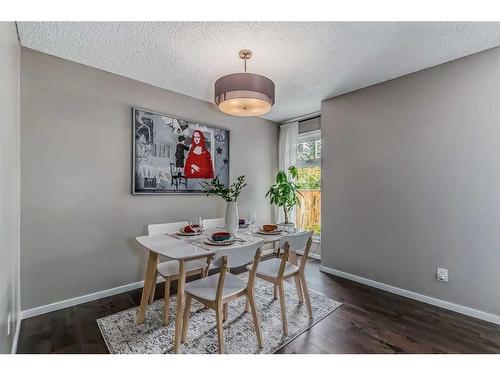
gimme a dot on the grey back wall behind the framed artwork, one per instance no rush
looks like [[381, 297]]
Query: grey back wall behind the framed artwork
[[79, 218]]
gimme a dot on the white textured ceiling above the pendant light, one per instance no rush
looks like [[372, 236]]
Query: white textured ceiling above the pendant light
[[308, 61]]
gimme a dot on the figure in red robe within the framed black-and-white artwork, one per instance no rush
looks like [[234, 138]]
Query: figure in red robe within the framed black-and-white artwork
[[199, 161]]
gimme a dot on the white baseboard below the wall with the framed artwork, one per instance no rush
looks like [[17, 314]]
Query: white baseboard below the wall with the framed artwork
[[82, 299]]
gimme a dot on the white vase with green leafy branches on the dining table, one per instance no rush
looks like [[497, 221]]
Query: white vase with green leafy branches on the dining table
[[230, 194]]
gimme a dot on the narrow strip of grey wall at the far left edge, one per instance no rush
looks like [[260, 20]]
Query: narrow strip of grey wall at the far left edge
[[9, 181]]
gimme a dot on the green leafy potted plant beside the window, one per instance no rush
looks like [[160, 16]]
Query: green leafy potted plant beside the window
[[285, 192]]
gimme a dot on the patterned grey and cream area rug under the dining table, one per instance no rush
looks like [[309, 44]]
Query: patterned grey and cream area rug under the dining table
[[123, 336]]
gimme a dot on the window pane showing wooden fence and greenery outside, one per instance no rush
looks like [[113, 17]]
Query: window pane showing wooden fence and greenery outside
[[308, 215]]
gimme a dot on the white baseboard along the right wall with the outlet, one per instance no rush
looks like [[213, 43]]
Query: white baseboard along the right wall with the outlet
[[416, 296]]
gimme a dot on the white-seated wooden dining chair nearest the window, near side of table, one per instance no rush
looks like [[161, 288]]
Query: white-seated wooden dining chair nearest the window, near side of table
[[277, 270]]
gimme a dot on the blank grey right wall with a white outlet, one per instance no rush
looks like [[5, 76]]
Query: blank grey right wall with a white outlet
[[411, 181]]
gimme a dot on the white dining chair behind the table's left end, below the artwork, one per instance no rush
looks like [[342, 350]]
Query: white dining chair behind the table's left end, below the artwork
[[169, 269]]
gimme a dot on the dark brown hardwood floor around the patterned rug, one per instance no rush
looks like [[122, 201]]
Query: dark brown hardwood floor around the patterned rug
[[369, 321]]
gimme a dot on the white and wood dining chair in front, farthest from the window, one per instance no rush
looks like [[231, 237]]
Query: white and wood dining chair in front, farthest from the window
[[217, 290]]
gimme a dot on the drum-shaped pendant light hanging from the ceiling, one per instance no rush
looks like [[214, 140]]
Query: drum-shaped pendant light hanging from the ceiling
[[244, 94]]
